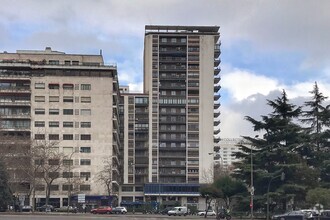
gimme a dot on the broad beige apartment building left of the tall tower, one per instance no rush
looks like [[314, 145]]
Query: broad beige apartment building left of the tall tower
[[68, 103]]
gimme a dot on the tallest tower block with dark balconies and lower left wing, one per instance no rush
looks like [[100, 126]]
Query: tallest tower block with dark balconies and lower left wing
[[180, 104]]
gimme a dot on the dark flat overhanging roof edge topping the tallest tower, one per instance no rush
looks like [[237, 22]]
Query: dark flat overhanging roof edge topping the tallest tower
[[181, 29]]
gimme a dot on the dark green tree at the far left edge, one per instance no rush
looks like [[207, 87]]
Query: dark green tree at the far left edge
[[5, 193]]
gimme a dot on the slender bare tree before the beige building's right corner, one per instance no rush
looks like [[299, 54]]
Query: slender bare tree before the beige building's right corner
[[105, 175]]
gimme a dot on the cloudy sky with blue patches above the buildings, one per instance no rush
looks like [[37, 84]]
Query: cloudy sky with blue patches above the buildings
[[266, 46]]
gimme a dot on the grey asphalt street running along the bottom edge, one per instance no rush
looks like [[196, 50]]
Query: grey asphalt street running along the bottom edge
[[57, 216]]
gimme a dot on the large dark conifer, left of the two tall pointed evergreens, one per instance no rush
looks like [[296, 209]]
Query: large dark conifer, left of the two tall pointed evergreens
[[280, 148]]
